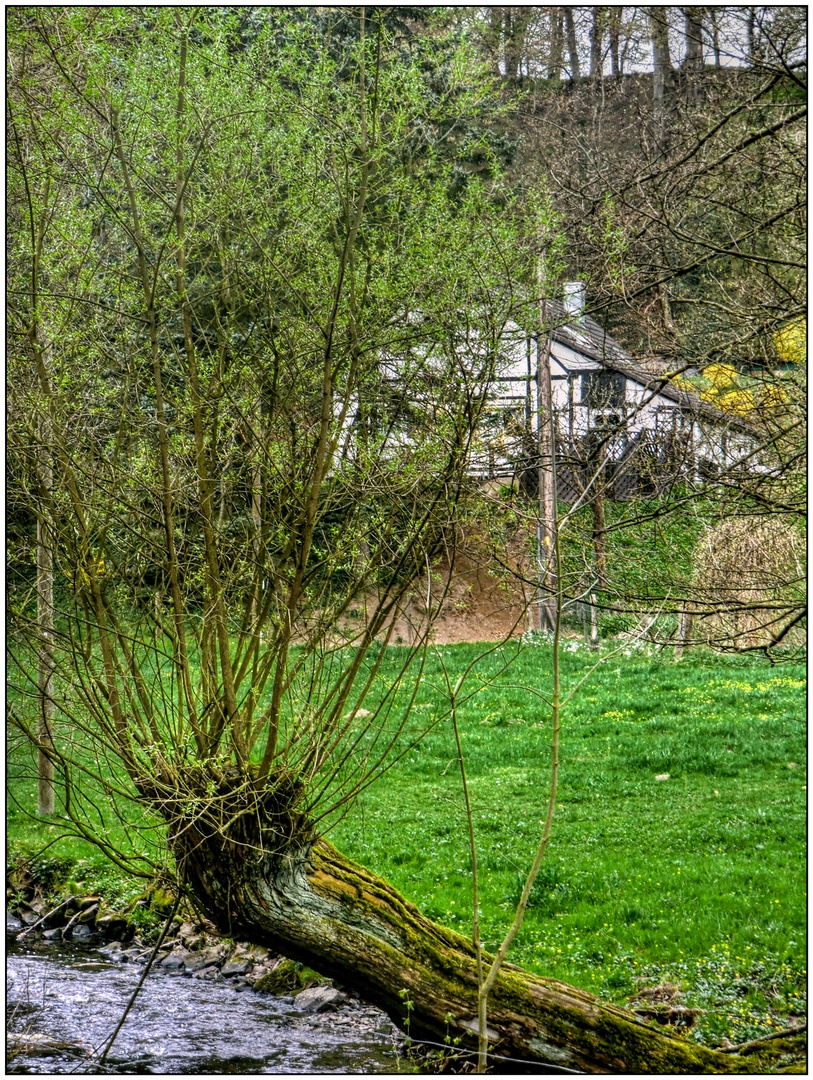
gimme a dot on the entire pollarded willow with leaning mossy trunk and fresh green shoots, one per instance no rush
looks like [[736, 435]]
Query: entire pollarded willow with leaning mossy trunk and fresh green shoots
[[259, 285]]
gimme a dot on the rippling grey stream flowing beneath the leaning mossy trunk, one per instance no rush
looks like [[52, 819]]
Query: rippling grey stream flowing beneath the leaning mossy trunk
[[179, 1024]]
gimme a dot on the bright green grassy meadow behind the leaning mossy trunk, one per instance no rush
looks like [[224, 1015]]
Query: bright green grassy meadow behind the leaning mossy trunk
[[679, 848]]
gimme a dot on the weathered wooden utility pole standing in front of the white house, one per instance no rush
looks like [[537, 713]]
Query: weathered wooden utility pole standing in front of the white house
[[546, 466]]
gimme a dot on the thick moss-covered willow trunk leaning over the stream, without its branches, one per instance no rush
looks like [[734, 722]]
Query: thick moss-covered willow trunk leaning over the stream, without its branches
[[315, 906]]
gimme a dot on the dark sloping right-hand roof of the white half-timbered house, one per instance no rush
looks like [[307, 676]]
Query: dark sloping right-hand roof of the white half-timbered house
[[587, 336]]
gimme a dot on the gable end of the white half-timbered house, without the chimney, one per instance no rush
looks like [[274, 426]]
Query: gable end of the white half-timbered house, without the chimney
[[647, 431]]
